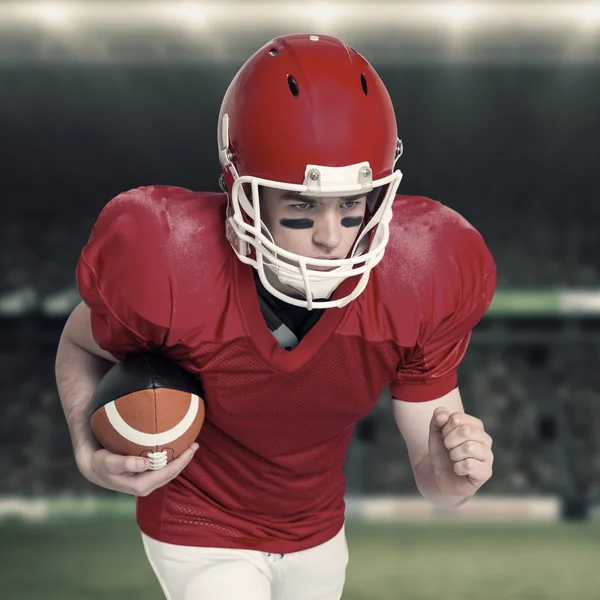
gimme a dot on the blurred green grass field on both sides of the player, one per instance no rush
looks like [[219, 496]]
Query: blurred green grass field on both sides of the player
[[104, 560]]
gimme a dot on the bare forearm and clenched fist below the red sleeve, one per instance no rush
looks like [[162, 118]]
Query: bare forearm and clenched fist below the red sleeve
[[450, 452]]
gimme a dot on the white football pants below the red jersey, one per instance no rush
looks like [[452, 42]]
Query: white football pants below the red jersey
[[195, 573]]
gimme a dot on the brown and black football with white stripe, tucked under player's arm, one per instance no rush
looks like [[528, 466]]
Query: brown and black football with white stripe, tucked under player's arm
[[147, 406]]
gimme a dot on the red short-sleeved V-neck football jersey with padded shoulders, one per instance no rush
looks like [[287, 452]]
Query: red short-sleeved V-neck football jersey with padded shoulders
[[159, 275]]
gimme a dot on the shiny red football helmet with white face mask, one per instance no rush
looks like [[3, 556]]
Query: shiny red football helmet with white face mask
[[308, 114]]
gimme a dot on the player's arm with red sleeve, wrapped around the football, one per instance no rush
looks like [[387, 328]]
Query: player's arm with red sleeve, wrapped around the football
[[125, 302]]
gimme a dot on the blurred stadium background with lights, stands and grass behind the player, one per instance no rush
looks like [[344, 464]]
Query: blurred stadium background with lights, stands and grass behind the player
[[497, 106]]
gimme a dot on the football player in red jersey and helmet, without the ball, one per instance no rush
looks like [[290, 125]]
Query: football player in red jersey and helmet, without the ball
[[295, 296]]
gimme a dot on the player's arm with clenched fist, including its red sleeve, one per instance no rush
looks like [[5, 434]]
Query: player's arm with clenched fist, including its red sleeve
[[450, 451]]
